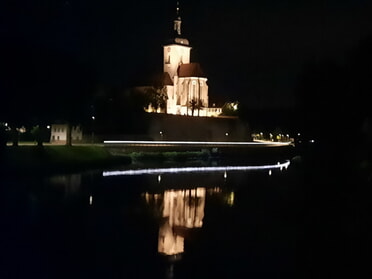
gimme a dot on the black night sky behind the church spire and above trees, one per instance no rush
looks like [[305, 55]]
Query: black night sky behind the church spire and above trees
[[251, 51]]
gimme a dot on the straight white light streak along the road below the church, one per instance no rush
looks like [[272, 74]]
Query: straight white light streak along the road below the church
[[232, 143]]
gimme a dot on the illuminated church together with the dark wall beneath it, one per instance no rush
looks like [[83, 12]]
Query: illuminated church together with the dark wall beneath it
[[185, 112]]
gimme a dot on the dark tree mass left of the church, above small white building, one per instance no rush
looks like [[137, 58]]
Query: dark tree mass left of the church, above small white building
[[41, 86]]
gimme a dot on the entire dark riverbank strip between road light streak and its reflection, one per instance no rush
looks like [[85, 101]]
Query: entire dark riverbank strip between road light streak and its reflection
[[64, 159]]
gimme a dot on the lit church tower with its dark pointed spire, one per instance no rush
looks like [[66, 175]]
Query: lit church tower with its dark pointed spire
[[176, 50]]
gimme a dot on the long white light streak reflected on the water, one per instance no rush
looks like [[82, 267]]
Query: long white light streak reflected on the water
[[196, 169]]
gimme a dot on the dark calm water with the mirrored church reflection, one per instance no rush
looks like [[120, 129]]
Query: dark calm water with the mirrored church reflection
[[173, 223]]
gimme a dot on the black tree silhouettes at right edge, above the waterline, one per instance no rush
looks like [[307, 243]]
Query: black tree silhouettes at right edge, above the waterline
[[333, 102]]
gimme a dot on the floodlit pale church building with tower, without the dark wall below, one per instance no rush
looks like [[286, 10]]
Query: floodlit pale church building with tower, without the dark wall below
[[184, 82]]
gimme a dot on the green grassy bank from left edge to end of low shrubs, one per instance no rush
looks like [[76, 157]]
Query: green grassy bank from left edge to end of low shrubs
[[60, 158]]
